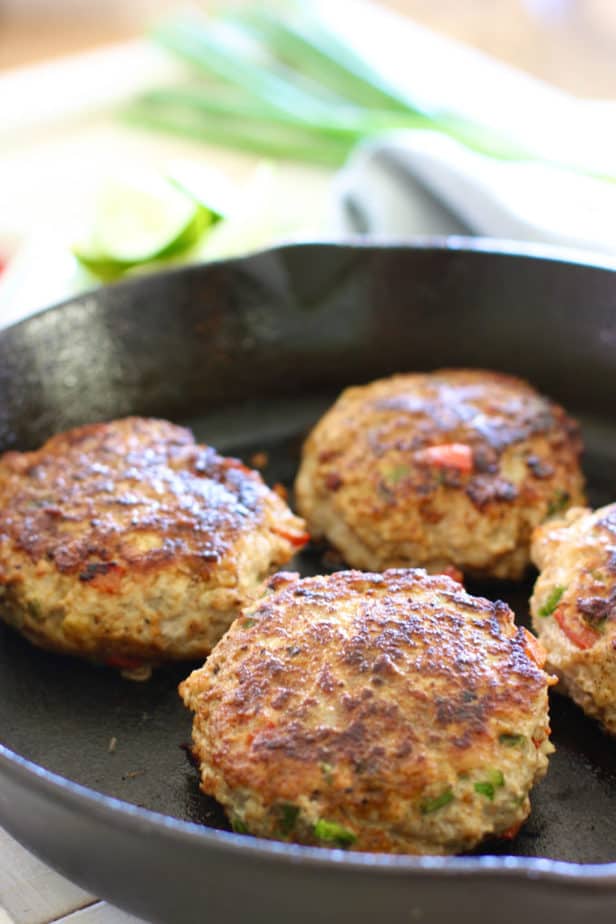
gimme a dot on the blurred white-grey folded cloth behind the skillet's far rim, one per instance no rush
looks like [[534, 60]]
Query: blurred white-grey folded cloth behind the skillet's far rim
[[423, 182]]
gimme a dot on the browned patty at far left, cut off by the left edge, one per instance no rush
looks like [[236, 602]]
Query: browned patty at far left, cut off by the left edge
[[127, 541]]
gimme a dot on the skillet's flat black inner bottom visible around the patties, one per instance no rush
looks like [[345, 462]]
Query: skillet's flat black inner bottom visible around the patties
[[130, 740]]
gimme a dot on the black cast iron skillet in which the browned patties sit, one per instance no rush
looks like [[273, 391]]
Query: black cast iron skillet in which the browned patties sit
[[249, 352]]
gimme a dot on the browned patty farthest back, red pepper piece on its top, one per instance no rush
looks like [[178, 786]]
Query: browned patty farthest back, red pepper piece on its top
[[450, 468]]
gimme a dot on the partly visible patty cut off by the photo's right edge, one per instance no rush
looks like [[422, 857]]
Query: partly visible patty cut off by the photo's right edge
[[574, 606]]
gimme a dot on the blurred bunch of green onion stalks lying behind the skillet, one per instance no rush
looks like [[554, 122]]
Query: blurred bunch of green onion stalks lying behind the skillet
[[283, 84]]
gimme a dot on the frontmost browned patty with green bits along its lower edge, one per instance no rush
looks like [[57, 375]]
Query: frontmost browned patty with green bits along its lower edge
[[381, 712]]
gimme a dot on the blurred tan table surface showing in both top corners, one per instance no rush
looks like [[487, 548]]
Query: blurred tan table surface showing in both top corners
[[571, 43]]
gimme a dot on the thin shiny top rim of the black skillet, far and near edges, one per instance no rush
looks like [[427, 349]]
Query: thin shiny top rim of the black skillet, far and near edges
[[122, 814]]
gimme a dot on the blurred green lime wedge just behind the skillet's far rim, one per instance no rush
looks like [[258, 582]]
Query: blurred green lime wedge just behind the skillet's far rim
[[141, 220]]
